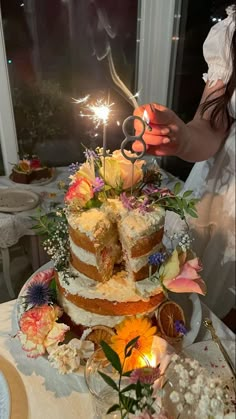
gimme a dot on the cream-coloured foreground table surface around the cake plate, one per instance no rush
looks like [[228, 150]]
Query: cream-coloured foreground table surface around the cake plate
[[54, 396]]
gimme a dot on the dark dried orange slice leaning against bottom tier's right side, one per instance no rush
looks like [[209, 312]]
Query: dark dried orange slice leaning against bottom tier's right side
[[168, 313]]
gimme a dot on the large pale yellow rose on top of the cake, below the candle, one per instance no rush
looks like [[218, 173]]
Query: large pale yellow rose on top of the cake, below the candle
[[118, 170]]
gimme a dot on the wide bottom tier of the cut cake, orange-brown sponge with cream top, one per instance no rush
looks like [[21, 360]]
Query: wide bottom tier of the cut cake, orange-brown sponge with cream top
[[119, 296]]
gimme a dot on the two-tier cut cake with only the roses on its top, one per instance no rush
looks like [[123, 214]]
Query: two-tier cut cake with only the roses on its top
[[110, 244]]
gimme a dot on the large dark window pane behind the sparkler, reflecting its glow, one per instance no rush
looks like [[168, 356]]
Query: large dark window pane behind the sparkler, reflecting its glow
[[57, 51]]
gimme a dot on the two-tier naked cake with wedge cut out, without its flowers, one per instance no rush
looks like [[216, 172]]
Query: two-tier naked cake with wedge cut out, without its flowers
[[109, 251]]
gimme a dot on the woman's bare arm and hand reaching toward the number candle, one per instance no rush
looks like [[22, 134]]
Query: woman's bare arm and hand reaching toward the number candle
[[192, 142]]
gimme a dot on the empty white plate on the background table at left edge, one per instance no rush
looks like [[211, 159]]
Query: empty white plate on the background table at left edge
[[16, 200]]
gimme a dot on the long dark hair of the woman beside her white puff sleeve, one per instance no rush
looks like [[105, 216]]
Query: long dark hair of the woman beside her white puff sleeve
[[219, 105]]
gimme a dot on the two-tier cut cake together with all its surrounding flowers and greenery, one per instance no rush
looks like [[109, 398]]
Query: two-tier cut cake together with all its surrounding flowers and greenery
[[110, 264]]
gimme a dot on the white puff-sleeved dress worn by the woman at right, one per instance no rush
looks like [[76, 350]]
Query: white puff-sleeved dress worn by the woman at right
[[213, 181]]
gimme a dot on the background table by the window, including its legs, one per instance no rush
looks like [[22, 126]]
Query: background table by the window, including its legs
[[16, 225]]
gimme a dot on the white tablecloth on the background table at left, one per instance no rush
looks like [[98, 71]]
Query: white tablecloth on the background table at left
[[14, 226]]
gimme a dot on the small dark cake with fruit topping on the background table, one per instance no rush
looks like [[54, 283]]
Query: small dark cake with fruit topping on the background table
[[30, 170]]
